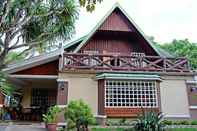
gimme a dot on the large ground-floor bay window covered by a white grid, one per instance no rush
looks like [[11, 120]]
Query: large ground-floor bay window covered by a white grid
[[130, 94]]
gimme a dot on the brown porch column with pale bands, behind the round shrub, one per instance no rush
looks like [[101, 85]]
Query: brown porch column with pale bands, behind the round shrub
[[62, 98]]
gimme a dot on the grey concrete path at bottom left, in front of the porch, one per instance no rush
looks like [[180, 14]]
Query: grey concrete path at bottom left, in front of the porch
[[22, 128]]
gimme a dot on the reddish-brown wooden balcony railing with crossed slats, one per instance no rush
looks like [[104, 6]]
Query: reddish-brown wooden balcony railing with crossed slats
[[102, 62]]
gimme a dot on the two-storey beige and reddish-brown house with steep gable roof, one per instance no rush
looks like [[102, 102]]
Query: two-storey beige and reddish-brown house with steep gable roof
[[115, 69]]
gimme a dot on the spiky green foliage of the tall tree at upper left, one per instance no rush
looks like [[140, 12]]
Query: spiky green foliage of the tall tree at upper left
[[55, 17]]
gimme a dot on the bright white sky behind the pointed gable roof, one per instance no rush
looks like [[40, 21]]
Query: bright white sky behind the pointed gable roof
[[164, 19]]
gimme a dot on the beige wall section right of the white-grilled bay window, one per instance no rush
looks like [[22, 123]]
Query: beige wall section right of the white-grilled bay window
[[174, 99]]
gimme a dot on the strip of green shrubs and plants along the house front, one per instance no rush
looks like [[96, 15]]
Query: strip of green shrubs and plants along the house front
[[79, 117]]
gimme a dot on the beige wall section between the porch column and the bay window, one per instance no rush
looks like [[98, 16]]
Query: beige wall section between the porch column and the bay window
[[82, 86]]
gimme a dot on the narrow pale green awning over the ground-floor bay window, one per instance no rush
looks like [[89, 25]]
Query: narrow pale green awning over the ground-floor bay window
[[127, 76]]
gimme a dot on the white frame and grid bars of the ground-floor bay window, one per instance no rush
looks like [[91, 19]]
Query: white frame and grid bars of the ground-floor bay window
[[155, 103]]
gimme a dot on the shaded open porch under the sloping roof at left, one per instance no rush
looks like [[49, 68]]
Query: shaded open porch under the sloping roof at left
[[35, 94]]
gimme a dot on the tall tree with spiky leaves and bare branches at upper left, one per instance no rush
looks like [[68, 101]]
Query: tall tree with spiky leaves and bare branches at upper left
[[27, 23]]
